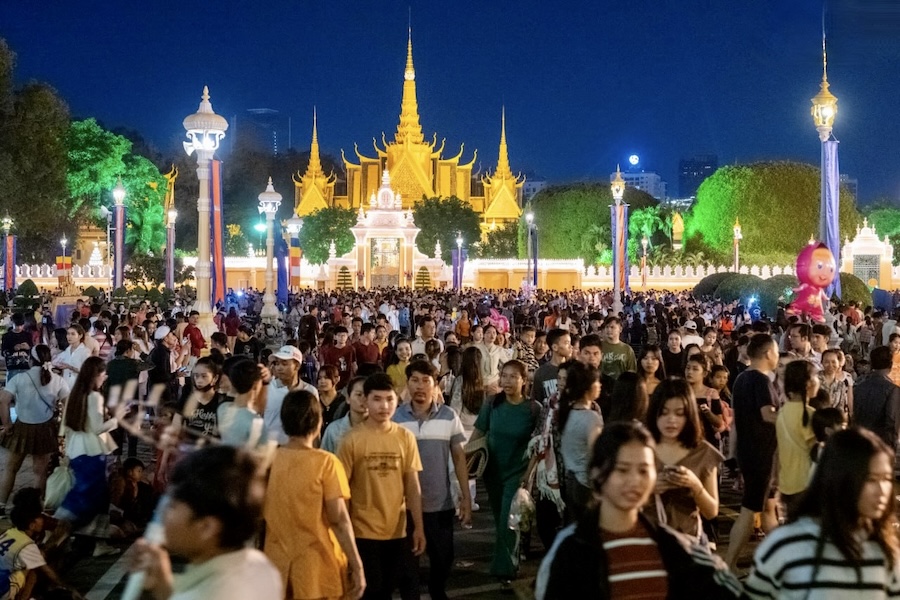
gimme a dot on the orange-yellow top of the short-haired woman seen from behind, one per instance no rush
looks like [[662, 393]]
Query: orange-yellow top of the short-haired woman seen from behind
[[299, 539]]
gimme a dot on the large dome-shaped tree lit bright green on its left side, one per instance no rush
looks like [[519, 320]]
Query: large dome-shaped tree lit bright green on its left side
[[777, 204]]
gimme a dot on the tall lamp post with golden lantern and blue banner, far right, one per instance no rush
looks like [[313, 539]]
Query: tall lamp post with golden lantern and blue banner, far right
[[824, 110]]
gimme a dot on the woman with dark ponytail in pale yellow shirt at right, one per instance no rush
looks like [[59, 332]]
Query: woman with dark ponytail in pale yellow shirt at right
[[795, 433]]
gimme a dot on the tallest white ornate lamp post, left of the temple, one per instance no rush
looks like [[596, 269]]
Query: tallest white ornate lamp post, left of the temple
[[205, 130]]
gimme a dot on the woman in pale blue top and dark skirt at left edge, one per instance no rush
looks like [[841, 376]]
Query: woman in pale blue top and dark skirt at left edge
[[36, 393]]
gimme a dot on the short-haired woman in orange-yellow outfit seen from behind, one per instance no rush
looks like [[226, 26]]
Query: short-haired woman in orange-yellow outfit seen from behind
[[309, 524]]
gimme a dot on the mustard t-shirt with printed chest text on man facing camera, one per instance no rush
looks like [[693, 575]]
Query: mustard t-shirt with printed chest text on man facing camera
[[376, 462]]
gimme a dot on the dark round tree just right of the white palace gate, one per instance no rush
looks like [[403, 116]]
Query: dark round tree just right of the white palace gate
[[443, 219]]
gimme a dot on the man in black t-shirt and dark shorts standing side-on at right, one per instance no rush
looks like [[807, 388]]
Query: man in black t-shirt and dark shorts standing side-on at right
[[755, 410]]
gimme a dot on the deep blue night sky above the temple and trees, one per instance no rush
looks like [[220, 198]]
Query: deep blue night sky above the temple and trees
[[585, 83]]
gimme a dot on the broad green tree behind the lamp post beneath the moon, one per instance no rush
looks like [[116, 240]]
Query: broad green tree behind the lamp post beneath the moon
[[573, 221]]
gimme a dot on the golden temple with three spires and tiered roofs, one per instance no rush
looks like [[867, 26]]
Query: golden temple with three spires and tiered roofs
[[418, 168]]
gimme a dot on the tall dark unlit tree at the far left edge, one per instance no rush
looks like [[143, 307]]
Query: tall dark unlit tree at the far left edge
[[33, 125]]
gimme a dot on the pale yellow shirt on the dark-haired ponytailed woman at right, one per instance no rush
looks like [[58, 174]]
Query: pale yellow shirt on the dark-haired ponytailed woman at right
[[794, 444]]
